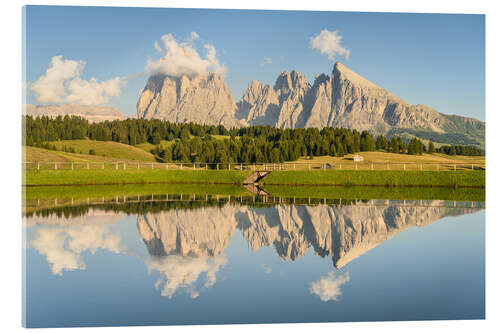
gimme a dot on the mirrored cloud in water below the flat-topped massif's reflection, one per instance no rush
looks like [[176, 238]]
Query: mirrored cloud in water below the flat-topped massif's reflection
[[178, 272]]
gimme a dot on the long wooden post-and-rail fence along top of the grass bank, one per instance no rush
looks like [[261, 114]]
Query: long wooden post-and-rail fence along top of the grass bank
[[344, 165]]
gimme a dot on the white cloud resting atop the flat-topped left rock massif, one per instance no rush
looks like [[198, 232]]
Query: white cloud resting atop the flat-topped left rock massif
[[181, 58]]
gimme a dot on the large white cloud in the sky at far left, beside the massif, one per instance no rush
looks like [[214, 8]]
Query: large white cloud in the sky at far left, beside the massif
[[62, 83]]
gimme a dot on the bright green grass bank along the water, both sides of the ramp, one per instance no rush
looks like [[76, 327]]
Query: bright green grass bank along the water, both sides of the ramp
[[451, 179]]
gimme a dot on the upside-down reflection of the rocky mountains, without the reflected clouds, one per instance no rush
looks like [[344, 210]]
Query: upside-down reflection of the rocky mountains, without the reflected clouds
[[342, 232]]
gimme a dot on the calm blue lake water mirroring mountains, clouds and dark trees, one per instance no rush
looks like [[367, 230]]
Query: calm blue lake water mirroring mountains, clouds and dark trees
[[212, 261]]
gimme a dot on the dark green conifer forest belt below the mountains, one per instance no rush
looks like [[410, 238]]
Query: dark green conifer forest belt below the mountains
[[190, 142]]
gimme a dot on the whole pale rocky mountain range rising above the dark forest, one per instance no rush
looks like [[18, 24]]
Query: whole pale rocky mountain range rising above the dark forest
[[344, 99]]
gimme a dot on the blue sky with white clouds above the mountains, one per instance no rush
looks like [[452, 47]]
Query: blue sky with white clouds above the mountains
[[104, 55]]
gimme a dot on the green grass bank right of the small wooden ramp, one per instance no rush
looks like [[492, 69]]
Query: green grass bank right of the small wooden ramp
[[378, 178]]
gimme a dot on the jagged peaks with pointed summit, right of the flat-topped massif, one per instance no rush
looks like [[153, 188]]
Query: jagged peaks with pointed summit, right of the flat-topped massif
[[346, 99]]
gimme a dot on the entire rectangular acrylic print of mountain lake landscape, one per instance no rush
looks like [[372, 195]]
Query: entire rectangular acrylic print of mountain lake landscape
[[196, 166]]
